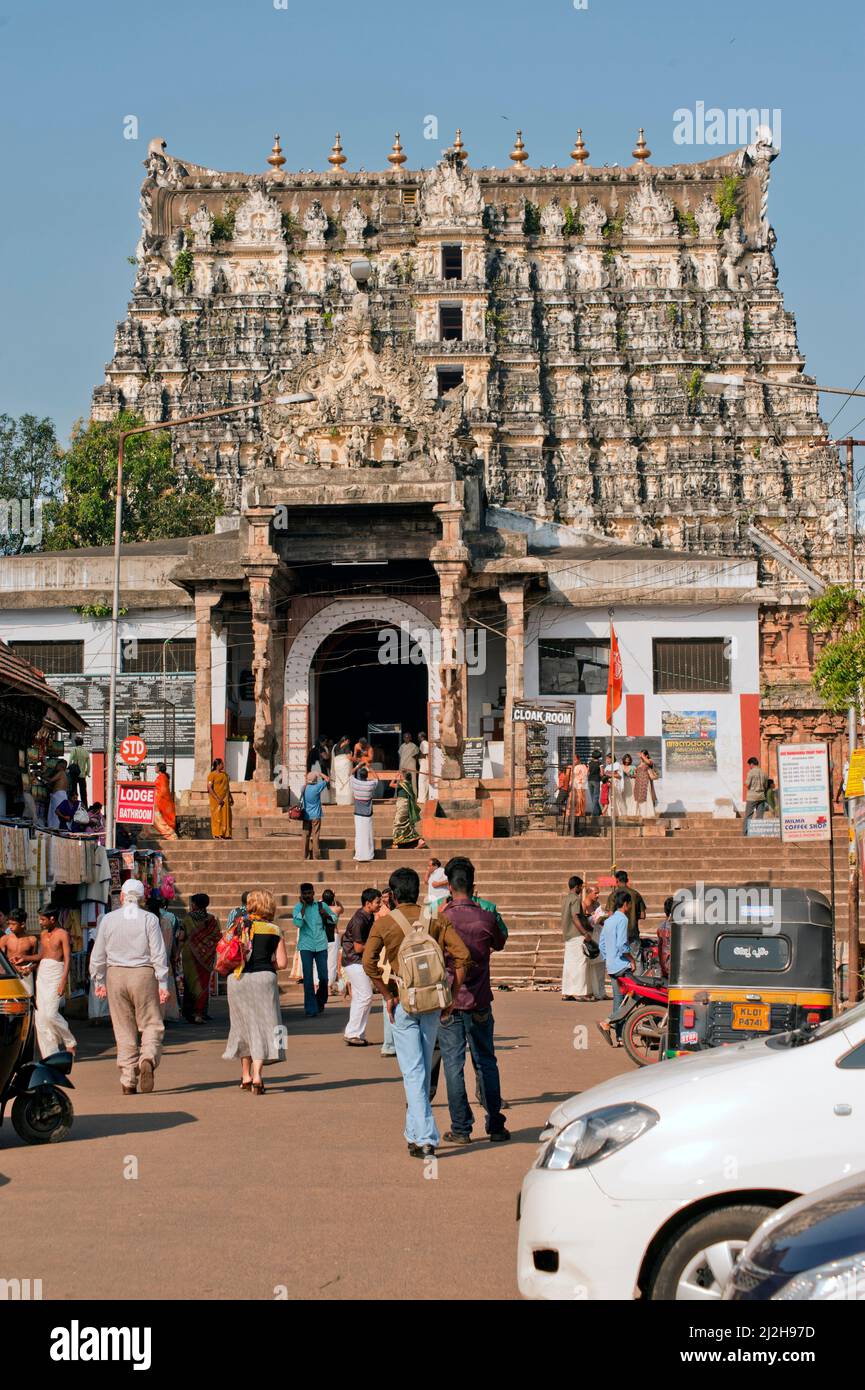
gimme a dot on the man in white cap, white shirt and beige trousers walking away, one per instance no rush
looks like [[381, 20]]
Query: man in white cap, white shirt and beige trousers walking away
[[129, 964]]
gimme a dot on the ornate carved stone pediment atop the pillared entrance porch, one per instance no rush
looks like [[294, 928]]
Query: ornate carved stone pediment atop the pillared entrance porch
[[371, 408]]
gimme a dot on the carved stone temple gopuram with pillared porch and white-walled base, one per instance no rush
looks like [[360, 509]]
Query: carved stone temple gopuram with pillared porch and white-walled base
[[512, 433]]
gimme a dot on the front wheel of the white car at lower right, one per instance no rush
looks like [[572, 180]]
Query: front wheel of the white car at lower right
[[697, 1264]]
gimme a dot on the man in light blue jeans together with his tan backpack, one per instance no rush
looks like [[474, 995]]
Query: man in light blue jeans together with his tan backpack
[[404, 958]]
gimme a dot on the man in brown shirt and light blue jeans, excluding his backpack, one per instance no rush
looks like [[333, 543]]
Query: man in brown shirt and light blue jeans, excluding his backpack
[[414, 1033]]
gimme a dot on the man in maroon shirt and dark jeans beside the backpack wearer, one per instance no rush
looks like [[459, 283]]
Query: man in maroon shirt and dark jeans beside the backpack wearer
[[471, 1024]]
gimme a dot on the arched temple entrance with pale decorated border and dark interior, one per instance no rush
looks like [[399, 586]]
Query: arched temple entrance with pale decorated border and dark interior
[[337, 685]]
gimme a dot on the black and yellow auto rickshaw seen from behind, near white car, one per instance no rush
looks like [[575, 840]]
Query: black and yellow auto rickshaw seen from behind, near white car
[[747, 963]]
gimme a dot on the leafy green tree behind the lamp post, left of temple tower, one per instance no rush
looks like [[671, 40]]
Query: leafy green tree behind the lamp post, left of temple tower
[[158, 502]]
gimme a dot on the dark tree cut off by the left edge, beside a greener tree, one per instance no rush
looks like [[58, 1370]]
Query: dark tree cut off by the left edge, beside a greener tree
[[30, 477]]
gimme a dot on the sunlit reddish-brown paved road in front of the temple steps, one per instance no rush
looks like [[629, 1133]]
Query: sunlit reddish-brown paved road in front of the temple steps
[[308, 1188]]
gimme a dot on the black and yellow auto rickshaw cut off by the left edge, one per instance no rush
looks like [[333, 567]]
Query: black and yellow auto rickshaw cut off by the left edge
[[42, 1114]]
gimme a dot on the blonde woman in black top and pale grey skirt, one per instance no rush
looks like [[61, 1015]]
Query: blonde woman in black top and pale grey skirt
[[257, 1035]]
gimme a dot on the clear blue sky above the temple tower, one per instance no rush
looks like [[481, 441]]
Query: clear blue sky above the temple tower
[[219, 79]]
